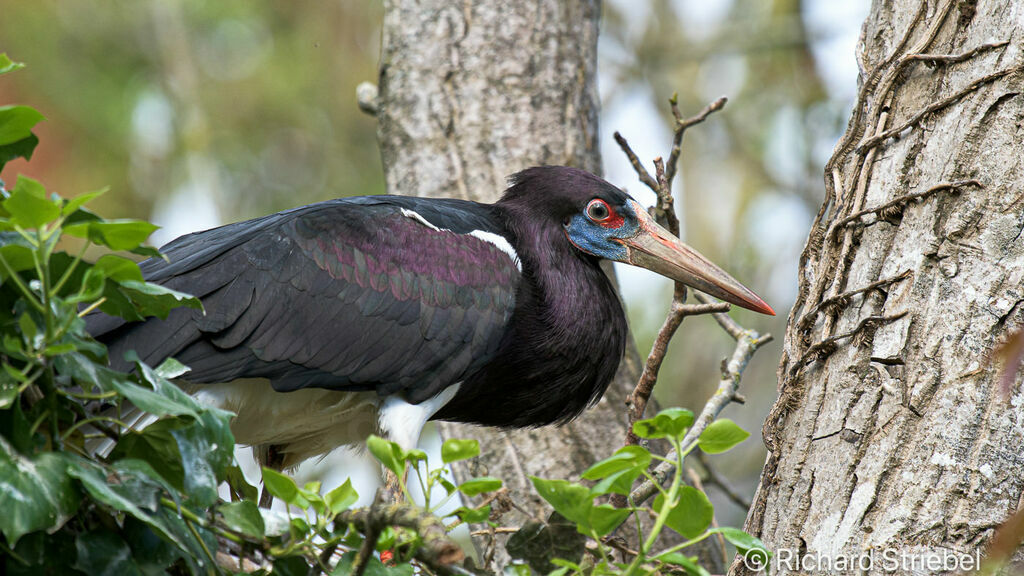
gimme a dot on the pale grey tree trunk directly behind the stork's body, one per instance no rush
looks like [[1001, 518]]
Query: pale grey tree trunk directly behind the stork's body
[[471, 94]]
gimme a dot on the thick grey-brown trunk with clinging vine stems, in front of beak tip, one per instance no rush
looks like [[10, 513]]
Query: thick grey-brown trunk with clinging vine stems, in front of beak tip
[[891, 436]]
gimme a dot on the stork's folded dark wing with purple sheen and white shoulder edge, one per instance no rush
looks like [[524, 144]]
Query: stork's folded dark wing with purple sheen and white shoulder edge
[[383, 294]]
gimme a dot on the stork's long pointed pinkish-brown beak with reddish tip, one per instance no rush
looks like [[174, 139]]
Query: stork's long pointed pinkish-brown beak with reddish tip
[[658, 251]]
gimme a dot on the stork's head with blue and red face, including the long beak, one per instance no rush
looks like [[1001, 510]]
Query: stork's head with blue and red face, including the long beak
[[602, 221]]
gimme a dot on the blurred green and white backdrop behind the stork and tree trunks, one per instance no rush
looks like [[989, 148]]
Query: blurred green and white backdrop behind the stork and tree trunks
[[197, 114]]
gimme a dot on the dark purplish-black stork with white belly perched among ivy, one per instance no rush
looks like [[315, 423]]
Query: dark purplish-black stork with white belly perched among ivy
[[332, 321]]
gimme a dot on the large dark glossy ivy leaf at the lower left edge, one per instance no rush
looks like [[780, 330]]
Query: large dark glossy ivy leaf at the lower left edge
[[35, 493]]
